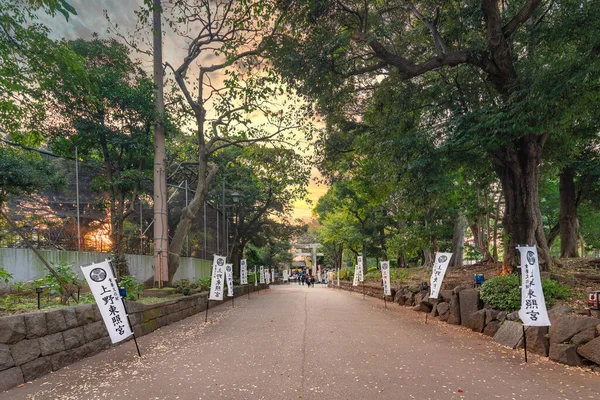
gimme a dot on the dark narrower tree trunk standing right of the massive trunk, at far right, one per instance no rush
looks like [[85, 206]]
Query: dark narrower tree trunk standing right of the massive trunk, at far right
[[569, 224]]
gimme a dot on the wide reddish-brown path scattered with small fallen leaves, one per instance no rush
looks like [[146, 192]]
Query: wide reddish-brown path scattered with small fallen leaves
[[293, 342]]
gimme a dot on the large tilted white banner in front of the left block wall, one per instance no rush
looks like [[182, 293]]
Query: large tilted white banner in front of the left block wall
[[104, 287]]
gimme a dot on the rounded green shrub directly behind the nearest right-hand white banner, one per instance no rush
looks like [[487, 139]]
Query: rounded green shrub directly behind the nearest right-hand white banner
[[503, 292]]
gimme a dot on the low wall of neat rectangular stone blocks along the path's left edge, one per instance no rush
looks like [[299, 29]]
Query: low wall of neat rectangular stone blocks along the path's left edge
[[34, 344]]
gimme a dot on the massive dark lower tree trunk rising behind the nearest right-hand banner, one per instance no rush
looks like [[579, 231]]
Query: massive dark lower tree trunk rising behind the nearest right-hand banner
[[518, 168]]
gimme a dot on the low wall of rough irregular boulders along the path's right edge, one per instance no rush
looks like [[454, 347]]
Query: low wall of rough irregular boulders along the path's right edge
[[571, 339]]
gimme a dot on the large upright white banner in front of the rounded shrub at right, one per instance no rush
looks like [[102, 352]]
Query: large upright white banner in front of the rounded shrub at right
[[533, 310]]
